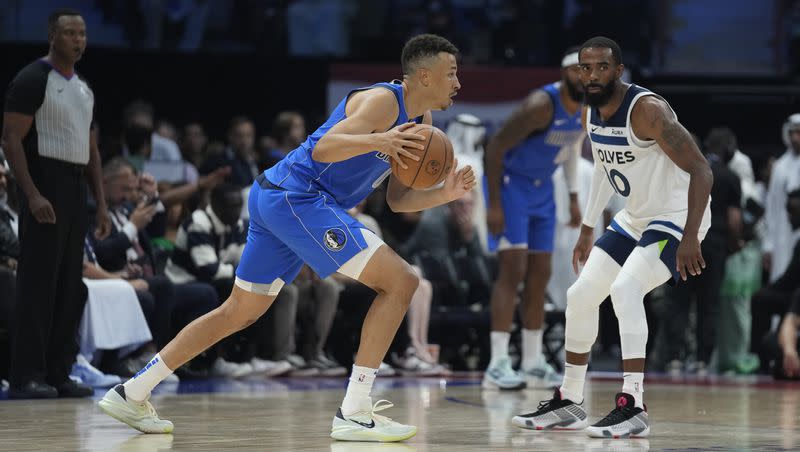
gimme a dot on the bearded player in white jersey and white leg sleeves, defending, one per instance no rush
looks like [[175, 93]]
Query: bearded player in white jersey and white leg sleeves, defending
[[644, 154]]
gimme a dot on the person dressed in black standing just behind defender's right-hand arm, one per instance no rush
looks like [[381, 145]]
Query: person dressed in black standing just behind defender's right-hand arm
[[724, 235]]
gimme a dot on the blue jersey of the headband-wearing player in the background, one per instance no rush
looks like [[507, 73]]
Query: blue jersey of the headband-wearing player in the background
[[535, 157]]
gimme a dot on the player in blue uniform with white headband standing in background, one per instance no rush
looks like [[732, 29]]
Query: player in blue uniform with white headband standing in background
[[521, 215]]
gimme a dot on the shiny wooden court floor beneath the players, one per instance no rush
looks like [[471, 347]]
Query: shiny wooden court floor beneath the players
[[452, 415]]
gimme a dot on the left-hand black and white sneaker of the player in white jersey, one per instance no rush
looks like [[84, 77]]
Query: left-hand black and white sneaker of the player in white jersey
[[554, 414]]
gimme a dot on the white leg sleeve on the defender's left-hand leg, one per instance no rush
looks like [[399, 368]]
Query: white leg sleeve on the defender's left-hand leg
[[584, 298]]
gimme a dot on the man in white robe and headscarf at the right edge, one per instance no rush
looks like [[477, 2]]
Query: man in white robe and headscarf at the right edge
[[785, 177]]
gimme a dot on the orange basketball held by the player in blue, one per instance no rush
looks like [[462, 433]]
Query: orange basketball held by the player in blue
[[435, 162]]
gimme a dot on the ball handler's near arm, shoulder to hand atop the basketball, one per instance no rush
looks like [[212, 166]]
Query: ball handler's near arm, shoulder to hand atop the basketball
[[370, 114]]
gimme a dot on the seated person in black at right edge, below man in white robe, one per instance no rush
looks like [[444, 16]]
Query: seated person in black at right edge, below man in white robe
[[775, 298]]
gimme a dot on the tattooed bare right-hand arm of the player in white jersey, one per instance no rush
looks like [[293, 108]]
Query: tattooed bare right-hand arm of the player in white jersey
[[653, 119]]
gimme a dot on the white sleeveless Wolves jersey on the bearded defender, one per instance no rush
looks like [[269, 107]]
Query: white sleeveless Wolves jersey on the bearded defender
[[655, 189]]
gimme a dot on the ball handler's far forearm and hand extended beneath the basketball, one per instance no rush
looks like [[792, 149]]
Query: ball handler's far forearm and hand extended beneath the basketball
[[403, 199]]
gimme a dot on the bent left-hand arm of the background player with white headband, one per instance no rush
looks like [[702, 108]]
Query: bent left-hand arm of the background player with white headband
[[533, 114]]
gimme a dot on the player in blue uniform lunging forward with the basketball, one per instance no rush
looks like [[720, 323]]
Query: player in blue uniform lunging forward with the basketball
[[298, 213]]
